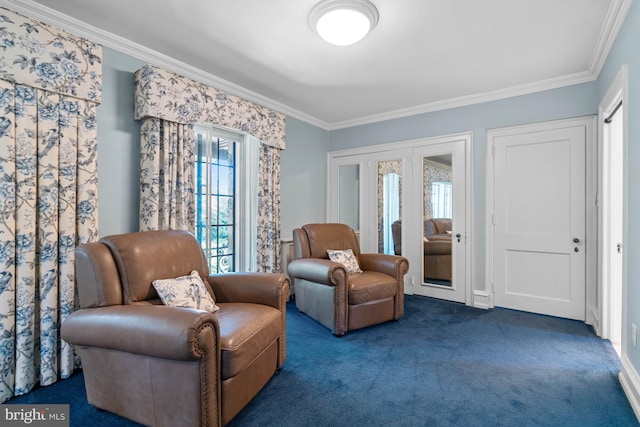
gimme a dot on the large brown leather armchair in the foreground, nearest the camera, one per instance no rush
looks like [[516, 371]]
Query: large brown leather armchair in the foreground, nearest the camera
[[170, 366]]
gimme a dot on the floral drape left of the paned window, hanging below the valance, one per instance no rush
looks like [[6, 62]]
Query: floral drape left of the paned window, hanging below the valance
[[167, 176]]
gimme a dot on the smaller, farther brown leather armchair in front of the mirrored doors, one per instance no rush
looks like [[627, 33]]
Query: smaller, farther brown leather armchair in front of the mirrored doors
[[342, 302]]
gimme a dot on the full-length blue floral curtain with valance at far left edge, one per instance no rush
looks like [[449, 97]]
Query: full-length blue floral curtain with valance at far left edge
[[49, 89]]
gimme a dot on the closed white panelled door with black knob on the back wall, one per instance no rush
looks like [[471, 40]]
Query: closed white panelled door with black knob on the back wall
[[539, 220]]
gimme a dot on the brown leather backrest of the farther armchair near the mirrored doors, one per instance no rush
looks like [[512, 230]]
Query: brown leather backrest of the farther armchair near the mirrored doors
[[321, 237]]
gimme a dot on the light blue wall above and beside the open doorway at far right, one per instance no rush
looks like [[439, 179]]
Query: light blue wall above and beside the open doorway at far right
[[625, 51]]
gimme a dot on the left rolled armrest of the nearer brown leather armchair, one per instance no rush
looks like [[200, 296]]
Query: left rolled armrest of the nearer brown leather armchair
[[151, 330]]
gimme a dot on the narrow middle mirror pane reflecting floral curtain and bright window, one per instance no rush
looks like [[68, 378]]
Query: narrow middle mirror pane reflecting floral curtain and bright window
[[389, 192]]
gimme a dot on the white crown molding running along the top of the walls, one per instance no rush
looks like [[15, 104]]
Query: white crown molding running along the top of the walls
[[613, 22]]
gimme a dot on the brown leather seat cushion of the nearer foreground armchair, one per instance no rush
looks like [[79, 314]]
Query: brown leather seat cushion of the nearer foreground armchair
[[245, 331]]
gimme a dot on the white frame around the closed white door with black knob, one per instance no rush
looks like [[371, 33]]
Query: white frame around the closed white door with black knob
[[591, 182]]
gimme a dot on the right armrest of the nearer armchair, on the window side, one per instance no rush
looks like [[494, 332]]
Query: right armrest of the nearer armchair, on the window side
[[270, 289]]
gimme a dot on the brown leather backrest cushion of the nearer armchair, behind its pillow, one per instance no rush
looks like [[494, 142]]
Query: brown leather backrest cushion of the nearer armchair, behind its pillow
[[146, 256]]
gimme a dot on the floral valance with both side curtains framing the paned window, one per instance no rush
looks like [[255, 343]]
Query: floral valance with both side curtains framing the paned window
[[161, 94]]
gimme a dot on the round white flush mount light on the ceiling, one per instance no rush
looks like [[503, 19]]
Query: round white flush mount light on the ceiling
[[343, 22]]
